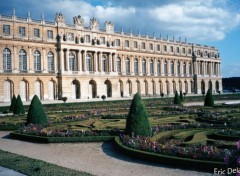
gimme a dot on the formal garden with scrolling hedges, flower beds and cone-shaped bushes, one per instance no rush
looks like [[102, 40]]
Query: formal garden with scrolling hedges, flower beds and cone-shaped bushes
[[157, 129]]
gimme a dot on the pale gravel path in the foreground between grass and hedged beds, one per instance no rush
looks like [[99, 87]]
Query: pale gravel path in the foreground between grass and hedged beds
[[97, 158]]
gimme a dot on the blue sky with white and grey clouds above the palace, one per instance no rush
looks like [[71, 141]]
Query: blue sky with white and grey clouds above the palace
[[206, 22]]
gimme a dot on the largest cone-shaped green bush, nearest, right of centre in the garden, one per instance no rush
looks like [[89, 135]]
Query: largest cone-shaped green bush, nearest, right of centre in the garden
[[137, 120]]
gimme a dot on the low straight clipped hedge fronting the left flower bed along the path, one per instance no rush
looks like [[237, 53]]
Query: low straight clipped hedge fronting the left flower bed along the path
[[41, 139]]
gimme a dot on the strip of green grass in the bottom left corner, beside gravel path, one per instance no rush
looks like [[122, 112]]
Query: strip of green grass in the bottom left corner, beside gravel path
[[35, 167]]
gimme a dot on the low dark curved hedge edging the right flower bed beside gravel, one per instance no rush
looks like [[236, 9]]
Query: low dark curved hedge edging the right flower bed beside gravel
[[186, 163]]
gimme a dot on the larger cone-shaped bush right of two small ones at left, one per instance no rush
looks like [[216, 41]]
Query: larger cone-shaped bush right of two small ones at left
[[36, 112]]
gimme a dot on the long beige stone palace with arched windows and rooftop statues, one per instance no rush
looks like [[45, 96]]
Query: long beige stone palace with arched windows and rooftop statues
[[55, 60]]
